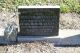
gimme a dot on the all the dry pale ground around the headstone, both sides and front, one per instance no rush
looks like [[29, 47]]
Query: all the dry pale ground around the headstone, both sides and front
[[67, 21]]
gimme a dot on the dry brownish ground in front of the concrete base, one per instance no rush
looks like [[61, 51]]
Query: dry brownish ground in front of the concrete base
[[38, 47]]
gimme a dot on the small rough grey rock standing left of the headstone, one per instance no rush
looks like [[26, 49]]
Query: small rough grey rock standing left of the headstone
[[10, 32]]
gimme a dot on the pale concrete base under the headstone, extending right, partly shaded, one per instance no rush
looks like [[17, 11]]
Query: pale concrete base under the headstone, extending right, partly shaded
[[65, 37]]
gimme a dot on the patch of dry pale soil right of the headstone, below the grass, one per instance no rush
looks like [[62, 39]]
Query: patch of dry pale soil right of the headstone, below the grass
[[69, 21]]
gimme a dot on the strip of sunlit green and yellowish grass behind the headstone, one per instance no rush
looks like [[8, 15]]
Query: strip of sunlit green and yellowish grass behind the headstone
[[66, 5]]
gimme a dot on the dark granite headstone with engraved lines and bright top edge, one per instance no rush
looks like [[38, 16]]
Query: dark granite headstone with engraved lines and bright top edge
[[39, 21]]
